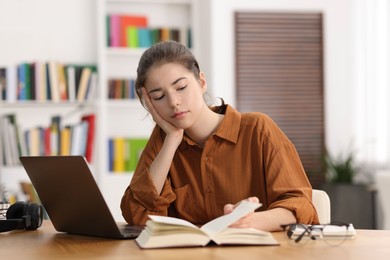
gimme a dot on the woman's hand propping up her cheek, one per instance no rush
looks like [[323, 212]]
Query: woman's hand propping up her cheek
[[169, 129]]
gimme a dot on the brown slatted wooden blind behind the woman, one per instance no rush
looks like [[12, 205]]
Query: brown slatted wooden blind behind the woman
[[279, 71]]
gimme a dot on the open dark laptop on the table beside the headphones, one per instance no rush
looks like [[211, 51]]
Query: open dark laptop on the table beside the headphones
[[68, 192]]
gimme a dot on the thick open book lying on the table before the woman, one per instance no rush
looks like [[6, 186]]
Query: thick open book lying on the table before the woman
[[163, 231]]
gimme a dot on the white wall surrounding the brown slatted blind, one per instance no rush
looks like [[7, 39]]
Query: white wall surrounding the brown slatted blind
[[338, 57]]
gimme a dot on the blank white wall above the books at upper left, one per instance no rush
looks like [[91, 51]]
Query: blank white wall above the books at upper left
[[31, 30]]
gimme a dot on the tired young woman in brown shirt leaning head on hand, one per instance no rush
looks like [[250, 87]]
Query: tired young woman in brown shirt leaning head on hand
[[200, 161]]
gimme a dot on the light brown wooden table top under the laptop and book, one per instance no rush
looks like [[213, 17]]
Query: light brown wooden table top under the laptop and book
[[47, 243]]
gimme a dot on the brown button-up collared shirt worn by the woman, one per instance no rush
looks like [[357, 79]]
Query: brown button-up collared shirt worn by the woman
[[247, 156]]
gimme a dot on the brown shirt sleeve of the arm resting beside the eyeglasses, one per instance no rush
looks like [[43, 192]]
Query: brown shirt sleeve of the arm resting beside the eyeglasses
[[287, 185]]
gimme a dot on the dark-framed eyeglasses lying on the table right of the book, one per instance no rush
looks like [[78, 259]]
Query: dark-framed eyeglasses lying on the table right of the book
[[333, 234]]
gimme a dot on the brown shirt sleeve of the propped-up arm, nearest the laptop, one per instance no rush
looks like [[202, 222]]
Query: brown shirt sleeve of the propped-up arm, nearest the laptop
[[141, 198]]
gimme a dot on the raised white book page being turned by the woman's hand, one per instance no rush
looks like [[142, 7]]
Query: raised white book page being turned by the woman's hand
[[218, 224]]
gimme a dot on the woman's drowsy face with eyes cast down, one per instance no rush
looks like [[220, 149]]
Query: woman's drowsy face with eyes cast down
[[176, 94]]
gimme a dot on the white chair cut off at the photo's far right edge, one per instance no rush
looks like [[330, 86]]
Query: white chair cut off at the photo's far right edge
[[382, 179]]
